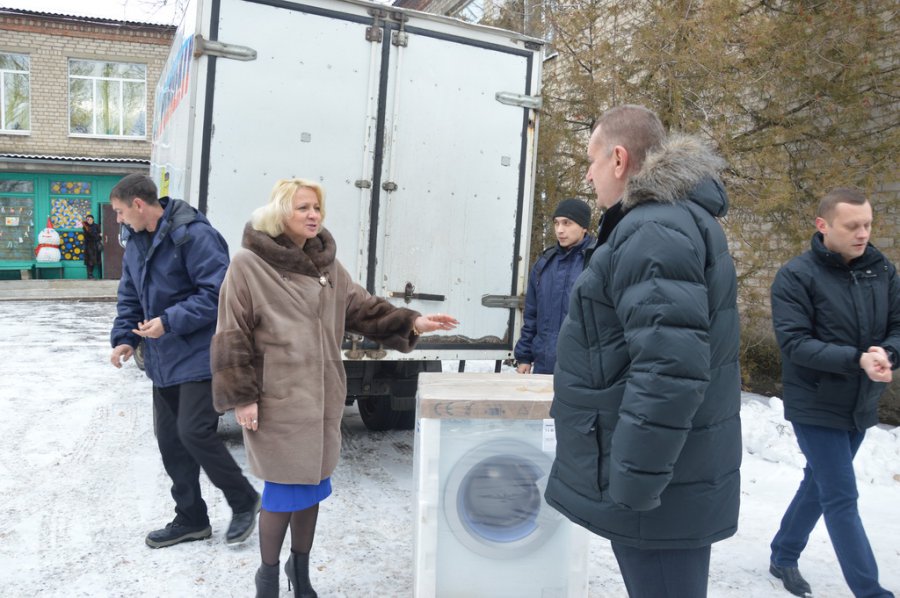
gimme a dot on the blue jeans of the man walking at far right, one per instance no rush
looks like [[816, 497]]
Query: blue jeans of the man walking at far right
[[829, 488]]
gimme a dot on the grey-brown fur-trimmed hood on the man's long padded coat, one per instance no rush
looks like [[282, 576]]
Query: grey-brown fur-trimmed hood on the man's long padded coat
[[675, 171]]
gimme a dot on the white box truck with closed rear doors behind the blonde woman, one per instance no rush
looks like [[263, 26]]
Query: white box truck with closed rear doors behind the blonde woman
[[422, 130]]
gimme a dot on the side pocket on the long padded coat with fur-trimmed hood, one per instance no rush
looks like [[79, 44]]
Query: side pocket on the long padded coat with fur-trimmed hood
[[578, 449]]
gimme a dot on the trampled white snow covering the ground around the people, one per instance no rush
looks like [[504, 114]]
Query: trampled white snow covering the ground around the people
[[81, 483]]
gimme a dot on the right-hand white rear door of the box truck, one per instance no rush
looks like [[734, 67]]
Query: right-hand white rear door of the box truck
[[455, 174]]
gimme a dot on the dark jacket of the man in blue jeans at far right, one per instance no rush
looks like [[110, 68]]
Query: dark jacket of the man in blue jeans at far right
[[826, 313]]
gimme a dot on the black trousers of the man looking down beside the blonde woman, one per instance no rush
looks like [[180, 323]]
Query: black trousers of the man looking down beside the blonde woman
[[186, 425]]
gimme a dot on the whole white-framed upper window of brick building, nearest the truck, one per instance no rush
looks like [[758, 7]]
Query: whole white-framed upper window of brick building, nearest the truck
[[107, 99]]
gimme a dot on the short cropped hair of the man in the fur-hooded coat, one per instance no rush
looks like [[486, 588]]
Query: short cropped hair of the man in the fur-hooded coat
[[635, 128]]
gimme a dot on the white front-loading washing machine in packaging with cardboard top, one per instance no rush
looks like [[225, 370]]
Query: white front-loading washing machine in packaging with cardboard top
[[484, 445]]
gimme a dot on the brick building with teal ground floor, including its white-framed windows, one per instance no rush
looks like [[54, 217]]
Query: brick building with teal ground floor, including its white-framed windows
[[76, 108]]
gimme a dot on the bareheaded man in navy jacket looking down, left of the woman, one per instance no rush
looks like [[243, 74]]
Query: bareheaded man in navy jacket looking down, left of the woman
[[173, 266]]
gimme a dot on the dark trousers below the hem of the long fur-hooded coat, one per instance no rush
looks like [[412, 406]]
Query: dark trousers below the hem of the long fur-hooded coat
[[664, 573]]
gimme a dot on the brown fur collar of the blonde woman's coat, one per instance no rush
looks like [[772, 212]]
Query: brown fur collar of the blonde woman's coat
[[280, 252]]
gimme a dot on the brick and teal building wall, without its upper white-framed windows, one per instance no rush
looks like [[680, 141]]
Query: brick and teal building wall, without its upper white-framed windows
[[48, 175]]
